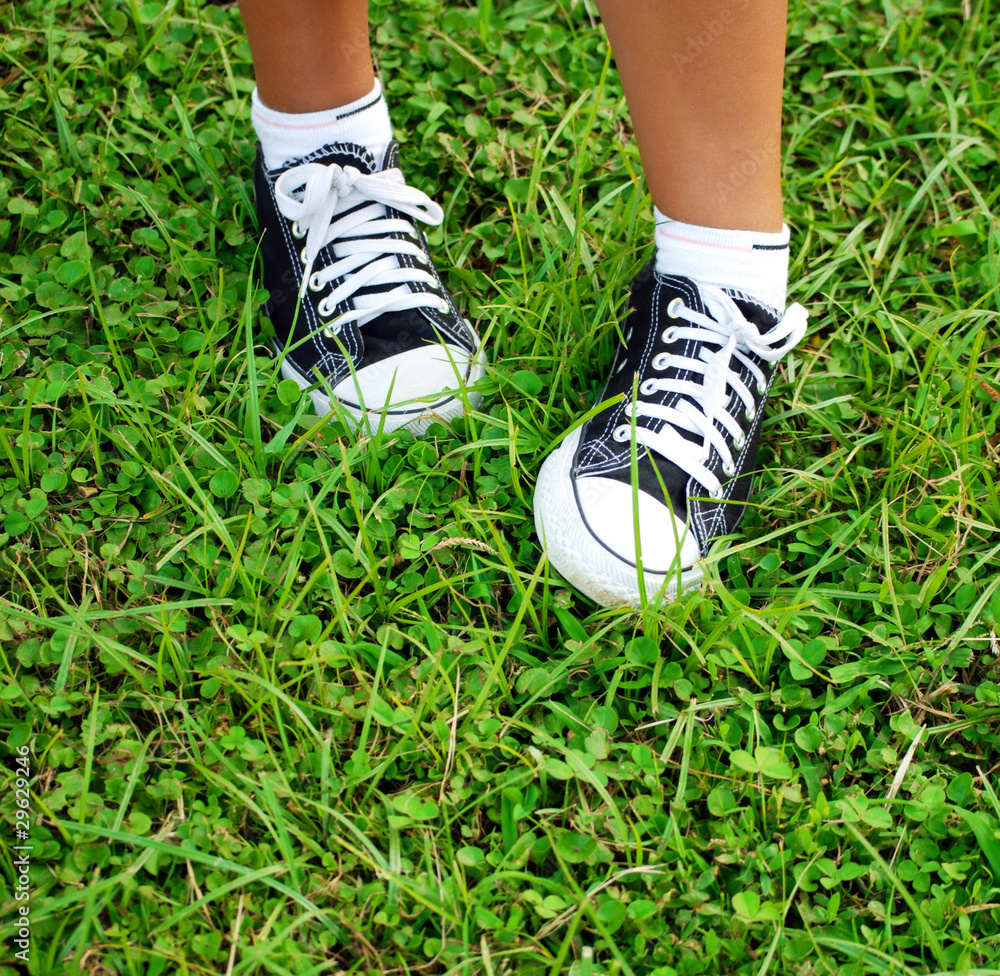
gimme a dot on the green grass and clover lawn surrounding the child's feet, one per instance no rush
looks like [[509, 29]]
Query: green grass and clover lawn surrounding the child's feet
[[303, 702]]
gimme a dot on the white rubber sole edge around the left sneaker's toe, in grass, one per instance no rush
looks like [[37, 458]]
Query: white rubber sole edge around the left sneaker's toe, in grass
[[414, 415]]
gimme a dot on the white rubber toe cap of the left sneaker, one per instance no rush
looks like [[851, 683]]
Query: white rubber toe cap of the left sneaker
[[418, 377]]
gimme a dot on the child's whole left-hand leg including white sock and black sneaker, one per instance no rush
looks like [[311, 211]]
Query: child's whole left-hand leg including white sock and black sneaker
[[360, 316]]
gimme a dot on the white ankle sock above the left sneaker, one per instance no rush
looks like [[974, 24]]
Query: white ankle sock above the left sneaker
[[285, 136]]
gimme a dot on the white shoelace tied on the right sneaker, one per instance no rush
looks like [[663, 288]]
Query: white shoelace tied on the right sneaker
[[707, 417]]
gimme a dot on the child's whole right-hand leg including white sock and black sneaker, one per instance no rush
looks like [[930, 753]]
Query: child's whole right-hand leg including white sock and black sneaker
[[707, 322]]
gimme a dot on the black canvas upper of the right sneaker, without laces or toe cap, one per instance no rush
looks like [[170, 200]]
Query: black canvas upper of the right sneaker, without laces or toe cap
[[600, 455]]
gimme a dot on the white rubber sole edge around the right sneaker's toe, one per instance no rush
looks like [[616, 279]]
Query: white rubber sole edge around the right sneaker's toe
[[579, 557]]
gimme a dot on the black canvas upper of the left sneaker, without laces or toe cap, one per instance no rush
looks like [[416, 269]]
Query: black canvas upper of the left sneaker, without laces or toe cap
[[391, 333]]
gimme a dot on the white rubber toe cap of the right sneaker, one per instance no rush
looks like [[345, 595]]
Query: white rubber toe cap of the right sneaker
[[608, 508]]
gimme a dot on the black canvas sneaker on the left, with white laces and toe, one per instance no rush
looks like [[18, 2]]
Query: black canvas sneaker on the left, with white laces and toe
[[360, 314]]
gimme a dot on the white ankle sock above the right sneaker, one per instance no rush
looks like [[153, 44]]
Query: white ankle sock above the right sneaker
[[739, 260]]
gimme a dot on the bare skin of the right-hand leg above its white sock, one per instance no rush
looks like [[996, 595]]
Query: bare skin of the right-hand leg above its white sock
[[703, 79]]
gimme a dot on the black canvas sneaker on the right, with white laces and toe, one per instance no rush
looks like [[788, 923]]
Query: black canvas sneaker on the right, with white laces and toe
[[704, 359]]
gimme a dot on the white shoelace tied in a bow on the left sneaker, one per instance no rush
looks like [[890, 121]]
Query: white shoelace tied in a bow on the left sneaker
[[313, 195]]
